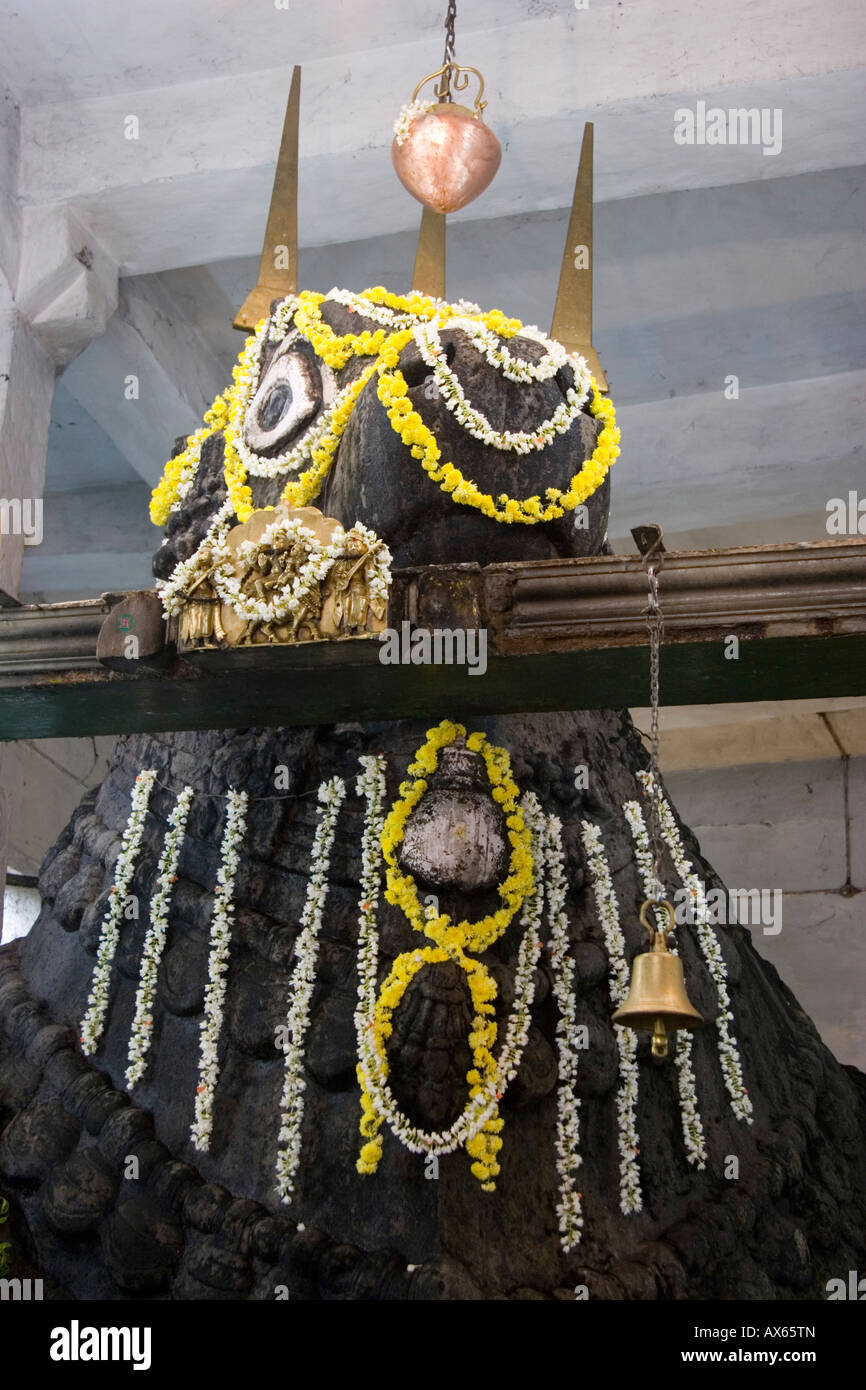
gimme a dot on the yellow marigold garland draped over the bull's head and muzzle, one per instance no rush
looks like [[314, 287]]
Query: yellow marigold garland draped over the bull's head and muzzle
[[384, 347]]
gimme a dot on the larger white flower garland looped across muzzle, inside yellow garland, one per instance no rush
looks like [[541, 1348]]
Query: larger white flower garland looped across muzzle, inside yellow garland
[[475, 423]]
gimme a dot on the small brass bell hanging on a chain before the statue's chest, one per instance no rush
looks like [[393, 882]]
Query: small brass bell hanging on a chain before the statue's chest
[[657, 992]]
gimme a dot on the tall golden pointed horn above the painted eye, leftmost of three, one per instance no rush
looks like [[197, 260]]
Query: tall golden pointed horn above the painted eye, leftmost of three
[[276, 281]]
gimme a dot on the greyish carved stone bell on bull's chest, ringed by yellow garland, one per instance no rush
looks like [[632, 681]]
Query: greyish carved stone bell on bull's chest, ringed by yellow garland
[[457, 836]]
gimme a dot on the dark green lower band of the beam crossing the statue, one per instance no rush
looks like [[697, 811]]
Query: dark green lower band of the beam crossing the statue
[[273, 692]]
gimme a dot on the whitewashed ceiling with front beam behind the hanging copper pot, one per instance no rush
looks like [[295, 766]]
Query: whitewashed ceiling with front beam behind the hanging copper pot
[[209, 97]]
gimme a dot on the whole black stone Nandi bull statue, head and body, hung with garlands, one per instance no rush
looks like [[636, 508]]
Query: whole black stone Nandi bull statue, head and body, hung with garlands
[[452, 913]]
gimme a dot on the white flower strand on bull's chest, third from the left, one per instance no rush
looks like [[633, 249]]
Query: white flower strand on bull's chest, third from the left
[[218, 970]]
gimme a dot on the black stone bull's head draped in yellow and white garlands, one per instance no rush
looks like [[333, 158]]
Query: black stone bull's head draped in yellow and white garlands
[[457, 436]]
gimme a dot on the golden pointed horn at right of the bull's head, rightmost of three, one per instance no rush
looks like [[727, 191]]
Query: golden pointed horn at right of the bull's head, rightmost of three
[[573, 312]]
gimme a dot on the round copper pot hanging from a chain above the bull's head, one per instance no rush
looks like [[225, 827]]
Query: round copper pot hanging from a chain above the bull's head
[[448, 156]]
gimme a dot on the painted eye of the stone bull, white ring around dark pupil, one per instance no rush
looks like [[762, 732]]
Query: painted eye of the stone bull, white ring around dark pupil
[[291, 394]]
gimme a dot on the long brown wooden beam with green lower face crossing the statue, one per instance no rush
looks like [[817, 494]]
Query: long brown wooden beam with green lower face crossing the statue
[[562, 635]]
